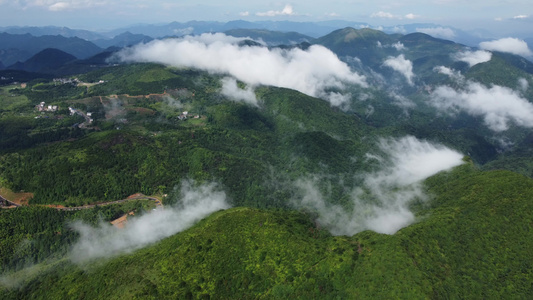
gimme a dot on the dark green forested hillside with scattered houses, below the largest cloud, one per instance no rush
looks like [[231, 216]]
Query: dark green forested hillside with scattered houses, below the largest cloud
[[230, 142]]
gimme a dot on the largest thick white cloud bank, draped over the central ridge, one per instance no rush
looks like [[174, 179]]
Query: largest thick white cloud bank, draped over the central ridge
[[310, 71]]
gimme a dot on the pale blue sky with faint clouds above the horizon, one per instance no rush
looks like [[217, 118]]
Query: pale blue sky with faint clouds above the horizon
[[109, 14]]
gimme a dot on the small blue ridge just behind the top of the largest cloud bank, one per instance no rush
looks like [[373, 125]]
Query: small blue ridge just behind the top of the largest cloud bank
[[272, 38]]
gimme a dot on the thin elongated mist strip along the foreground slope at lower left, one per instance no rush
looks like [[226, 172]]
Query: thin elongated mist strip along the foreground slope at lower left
[[107, 241]]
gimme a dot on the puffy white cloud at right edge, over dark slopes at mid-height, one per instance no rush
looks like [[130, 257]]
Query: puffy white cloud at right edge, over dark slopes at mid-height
[[498, 105]]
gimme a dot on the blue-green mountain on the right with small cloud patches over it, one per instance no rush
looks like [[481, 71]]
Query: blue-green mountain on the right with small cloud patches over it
[[367, 51]]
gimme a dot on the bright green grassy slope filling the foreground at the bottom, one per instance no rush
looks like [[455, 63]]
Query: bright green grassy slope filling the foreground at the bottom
[[474, 240]]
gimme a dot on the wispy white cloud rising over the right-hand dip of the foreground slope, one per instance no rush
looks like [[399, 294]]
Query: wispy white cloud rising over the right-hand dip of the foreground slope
[[382, 202]]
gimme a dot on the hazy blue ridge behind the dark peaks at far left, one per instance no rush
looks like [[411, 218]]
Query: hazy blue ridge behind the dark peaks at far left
[[27, 45]]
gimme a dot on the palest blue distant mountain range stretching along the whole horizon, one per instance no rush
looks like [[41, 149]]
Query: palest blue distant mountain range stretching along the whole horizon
[[313, 29]]
